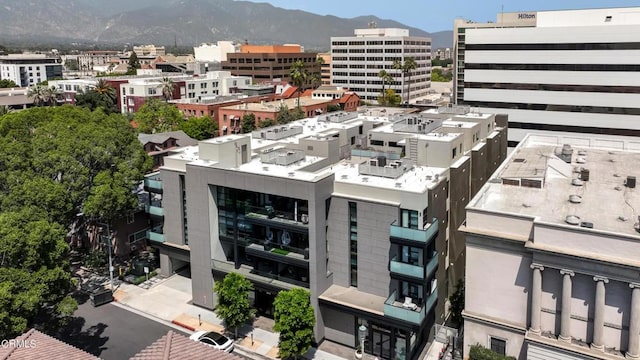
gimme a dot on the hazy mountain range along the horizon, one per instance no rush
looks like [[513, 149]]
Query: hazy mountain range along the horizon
[[181, 22]]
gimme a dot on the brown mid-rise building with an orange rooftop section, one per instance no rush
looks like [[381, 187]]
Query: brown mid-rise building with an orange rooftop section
[[265, 63]]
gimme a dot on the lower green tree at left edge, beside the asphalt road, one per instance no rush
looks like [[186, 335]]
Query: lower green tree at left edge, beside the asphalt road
[[34, 277]]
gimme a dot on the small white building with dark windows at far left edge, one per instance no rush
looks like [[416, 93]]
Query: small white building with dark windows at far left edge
[[29, 69]]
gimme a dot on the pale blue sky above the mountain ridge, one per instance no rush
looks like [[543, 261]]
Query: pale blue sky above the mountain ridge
[[436, 15]]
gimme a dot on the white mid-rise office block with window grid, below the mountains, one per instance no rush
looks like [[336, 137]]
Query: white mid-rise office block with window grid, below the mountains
[[357, 60]]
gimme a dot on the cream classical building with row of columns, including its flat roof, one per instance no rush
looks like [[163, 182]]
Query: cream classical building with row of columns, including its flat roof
[[558, 222]]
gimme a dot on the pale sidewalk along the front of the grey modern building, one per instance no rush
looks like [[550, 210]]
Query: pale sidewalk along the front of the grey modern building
[[170, 300]]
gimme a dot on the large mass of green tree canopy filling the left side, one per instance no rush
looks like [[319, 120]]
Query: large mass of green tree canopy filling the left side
[[55, 163]]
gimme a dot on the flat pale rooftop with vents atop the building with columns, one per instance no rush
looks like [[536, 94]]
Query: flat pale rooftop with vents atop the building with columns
[[596, 189]]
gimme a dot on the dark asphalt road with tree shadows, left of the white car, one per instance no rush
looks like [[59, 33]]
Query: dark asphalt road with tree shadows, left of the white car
[[110, 332]]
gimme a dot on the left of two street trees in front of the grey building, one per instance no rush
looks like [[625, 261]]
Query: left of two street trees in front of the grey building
[[234, 307]]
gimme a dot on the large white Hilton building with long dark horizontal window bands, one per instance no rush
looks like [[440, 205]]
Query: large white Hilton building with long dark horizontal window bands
[[564, 71]]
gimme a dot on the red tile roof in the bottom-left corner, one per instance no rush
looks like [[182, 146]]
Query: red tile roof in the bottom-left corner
[[35, 345]]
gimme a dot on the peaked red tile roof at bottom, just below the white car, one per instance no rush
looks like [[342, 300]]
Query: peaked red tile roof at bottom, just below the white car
[[174, 346]]
